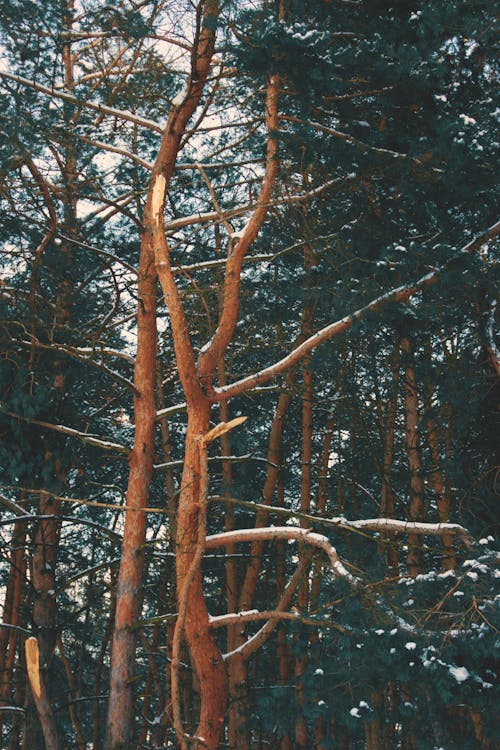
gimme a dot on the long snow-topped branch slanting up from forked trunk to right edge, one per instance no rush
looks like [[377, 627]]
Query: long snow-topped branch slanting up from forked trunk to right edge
[[400, 294]]
